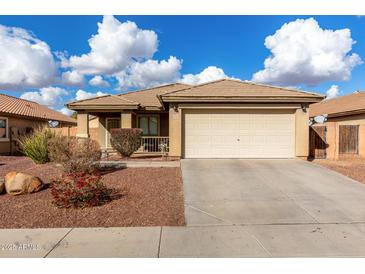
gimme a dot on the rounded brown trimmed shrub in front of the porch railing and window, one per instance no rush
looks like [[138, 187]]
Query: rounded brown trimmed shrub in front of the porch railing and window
[[126, 140]]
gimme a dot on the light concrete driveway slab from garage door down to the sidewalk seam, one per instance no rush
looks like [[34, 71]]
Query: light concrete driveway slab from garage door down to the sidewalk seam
[[269, 192]]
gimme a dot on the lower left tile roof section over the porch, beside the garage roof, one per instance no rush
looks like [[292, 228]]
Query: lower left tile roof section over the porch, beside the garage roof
[[146, 98]]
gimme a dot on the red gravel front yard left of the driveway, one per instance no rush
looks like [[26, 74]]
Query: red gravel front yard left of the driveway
[[153, 197]]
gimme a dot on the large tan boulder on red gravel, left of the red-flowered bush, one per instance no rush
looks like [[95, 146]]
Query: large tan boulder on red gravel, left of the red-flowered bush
[[17, 183]]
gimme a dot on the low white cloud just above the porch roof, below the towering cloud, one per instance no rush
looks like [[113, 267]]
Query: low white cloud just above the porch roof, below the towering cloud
[[150, 73]]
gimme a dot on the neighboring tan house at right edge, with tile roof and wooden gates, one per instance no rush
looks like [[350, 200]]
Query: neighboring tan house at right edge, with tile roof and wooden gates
[[344, 132]]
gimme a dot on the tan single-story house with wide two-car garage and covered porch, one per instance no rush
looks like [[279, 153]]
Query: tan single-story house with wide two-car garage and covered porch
[[219, 119]]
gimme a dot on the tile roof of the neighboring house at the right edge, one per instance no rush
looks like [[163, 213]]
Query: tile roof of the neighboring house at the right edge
[[339, 106]]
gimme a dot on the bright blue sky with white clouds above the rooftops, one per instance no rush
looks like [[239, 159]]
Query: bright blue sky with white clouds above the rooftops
[[232, 45]]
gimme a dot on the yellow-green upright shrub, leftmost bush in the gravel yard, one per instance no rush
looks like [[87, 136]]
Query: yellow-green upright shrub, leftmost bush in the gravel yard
[[35, 145]]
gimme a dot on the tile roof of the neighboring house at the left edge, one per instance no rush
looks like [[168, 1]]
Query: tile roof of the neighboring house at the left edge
[[16, 106]]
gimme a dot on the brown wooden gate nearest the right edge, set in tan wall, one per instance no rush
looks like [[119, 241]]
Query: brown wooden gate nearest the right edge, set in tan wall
[[348, 139]]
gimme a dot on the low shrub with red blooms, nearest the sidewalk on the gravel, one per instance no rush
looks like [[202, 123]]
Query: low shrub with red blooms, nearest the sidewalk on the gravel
[[79, 190]]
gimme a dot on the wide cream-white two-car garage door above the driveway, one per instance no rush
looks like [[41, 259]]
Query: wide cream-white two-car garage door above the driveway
[[239, 133]]
